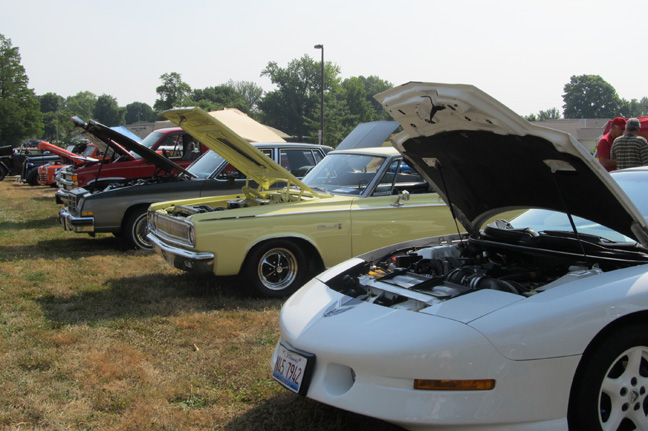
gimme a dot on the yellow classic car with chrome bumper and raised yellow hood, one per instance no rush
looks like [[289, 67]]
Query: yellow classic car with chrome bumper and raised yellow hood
[[278, 235]]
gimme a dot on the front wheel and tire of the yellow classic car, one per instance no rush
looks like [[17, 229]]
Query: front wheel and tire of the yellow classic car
[[276, 269]]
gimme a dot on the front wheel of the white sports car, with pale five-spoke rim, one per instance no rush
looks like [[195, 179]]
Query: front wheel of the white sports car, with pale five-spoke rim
[[611, 390]]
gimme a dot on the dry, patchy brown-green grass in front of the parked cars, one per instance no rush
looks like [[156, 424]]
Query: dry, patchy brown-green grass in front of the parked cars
[[95, 336]]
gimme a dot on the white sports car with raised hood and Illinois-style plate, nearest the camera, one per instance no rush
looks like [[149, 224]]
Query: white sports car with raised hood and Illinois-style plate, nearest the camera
[[540, 323]]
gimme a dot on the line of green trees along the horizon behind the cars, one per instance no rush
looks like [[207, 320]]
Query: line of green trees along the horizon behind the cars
[[293, 106]]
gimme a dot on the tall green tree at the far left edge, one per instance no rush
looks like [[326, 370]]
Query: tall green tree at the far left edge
[[20, 115]]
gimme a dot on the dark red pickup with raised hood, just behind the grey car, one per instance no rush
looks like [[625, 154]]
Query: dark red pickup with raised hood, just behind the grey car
[[120, 166]]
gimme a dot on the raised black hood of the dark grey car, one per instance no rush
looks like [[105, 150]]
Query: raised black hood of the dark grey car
[[110, 137]]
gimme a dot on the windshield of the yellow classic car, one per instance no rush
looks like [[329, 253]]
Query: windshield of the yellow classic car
[[346, 174]]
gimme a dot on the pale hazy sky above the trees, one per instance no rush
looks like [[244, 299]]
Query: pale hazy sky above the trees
[[520, 52]]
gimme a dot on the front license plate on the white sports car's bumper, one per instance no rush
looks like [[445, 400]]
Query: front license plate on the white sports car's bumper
[[291, 369]]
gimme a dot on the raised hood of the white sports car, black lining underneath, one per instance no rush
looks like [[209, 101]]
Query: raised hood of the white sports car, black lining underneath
[[484, 159]]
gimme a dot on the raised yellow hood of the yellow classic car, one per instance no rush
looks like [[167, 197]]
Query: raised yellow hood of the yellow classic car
[[229, 145]]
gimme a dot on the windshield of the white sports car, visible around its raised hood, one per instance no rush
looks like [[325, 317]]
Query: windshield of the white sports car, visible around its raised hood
[[633, 184]]
